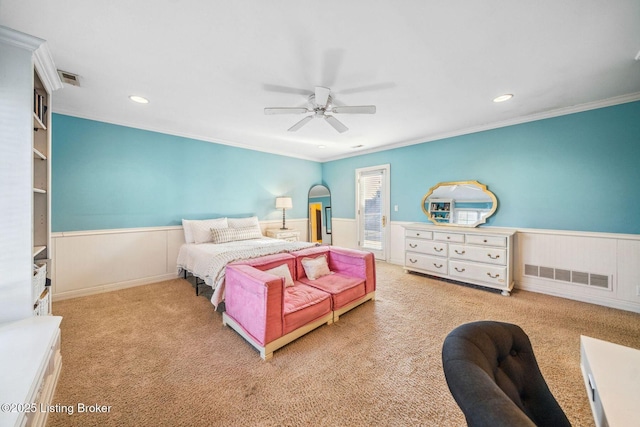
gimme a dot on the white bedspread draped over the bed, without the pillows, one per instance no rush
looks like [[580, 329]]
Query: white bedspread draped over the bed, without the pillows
[[208, 260]]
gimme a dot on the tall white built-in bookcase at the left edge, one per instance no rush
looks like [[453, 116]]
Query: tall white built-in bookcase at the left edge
[[27, 77]]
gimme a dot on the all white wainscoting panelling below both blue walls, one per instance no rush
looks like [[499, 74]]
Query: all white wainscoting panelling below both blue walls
[[90, 262]]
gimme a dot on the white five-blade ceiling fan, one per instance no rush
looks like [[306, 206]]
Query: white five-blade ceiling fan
[[321, 105]]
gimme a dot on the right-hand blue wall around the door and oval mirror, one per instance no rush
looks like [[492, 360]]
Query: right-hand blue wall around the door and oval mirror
[[575, 172]]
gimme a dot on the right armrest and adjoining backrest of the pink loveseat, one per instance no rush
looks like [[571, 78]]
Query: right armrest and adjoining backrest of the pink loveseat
[[350, 262]]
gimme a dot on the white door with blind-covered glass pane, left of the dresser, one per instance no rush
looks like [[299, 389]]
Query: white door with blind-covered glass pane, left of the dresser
[[372, 209]]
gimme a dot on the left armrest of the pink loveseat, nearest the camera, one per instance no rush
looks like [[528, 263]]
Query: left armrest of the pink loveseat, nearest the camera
[[254, 299]]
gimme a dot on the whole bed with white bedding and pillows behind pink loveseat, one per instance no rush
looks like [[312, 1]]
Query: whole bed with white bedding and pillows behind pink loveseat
[[212, 244]]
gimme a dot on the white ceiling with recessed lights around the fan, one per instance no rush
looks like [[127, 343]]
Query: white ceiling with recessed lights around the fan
[[431, 67]]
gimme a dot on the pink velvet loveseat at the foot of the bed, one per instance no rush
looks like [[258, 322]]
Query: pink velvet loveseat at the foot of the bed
[[269, 314]]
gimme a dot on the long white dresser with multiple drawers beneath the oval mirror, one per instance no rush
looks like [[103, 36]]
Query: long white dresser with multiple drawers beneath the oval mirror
[[480, 256]]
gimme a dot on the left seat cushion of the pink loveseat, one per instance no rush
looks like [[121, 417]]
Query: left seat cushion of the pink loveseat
[[302, 305]]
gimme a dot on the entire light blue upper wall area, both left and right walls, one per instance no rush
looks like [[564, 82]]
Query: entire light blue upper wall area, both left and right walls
[[574, 172]]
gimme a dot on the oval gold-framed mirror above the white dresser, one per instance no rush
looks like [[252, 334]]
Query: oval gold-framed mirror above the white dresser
[[460, 203]]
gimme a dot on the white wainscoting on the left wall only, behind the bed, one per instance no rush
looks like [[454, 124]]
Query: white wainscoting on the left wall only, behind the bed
[[89, 262]]
